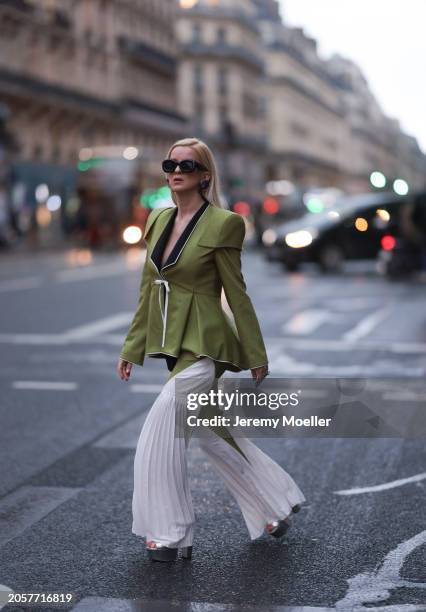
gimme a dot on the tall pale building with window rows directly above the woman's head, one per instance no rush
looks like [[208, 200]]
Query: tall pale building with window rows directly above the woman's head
[[222, 86]]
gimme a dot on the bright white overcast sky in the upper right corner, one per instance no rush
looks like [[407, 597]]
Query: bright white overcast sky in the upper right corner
[[386, 38]]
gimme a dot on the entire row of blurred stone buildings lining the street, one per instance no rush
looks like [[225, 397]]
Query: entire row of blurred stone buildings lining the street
[[84, 81]]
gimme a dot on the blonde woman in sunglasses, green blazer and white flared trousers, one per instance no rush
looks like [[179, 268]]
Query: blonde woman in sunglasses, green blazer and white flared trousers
[[193, 250]]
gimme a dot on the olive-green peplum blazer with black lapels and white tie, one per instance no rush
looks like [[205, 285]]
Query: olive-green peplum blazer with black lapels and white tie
[[180, 307]]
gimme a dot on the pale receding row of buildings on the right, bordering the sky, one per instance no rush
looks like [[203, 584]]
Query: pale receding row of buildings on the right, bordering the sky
[[325, 127]]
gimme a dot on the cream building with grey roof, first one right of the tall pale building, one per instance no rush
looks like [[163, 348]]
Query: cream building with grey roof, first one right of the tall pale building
[[306, 119]]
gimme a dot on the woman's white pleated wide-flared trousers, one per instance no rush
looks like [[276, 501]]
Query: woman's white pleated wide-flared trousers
[[162, 502]]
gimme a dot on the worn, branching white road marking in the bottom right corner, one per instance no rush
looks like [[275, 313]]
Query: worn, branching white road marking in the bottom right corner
[[375, 586]]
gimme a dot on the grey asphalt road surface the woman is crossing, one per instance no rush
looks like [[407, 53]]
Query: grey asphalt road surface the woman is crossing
[[69, 428]]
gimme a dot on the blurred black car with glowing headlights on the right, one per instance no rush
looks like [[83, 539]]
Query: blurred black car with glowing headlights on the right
[[352, 228]]
